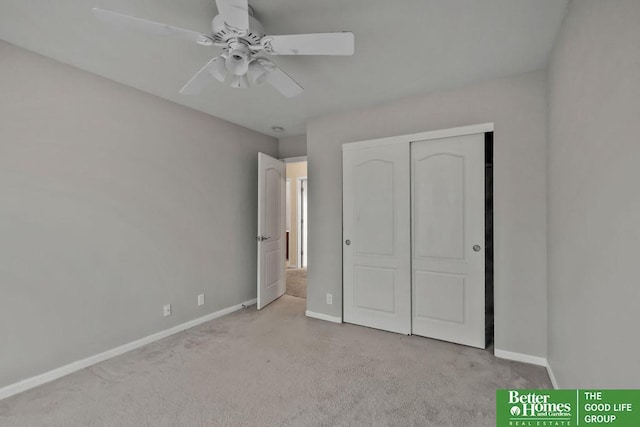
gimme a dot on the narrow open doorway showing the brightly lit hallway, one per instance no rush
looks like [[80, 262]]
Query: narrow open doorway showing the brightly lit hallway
[[296, 227]]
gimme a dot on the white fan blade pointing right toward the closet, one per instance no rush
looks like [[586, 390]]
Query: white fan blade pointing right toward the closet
[[310, 44]]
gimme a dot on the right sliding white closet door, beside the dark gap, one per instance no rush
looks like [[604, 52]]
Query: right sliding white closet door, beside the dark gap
[[447, 198]]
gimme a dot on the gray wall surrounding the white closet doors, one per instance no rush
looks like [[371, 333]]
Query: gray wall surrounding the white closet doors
[[517, 106]]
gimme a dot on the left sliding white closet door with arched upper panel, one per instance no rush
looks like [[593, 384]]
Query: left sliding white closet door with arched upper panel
[[376, 237]]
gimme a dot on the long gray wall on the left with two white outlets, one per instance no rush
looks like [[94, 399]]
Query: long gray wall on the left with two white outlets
[[113, 203]]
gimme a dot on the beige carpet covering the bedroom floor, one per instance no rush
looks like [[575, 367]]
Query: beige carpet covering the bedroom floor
[[277, 367]]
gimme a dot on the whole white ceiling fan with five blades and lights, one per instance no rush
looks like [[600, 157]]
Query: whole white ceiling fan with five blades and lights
[[242, 39]]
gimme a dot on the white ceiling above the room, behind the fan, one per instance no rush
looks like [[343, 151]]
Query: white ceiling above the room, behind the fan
[[403, 47]]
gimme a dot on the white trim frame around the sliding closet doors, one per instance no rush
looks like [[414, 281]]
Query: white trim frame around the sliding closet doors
[[407, 139]]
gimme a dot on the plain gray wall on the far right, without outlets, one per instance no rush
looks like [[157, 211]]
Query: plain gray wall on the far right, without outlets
[[594, 197]]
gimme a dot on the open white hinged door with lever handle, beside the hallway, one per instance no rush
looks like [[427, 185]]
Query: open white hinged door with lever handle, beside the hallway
[[271, 229]]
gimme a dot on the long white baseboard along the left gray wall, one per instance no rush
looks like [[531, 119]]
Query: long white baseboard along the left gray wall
[[54, 374]]
